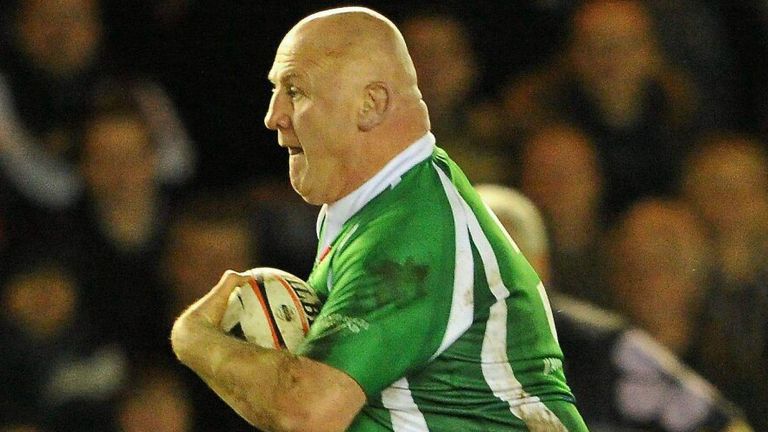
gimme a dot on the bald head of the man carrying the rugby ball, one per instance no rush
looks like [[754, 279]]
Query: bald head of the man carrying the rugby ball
[[345, 100]]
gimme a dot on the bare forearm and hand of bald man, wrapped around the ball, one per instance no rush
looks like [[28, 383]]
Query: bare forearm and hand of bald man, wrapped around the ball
[[273, 390]]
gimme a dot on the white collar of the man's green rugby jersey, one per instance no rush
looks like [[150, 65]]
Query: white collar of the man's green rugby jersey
[[337, 213]]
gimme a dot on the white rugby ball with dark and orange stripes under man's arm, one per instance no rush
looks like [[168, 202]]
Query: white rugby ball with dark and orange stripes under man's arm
[[274, 309]]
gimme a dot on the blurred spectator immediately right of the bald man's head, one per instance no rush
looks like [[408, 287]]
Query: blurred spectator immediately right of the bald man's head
[[448, 74]]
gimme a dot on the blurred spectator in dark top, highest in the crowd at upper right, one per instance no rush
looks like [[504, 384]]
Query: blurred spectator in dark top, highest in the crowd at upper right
[[613, 82]]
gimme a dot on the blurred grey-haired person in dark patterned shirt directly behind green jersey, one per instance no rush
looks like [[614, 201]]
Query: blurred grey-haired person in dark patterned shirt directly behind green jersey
[[622, 378]]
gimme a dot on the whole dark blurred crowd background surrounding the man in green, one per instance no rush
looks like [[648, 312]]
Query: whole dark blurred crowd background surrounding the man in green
[[134, 170]]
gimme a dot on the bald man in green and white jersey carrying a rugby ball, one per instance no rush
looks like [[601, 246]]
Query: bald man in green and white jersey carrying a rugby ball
[[432, 319]]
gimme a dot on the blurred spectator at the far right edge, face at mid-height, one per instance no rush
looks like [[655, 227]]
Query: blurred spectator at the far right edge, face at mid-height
[[726, 180]]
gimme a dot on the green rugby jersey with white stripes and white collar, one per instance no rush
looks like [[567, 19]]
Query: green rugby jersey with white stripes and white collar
[[431, 308]]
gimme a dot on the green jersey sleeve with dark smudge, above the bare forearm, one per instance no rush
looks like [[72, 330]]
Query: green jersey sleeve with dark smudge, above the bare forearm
[[390, 296]]
